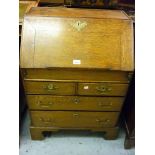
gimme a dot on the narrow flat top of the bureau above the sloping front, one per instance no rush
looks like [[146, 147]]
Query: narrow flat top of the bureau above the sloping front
[[77, 13]]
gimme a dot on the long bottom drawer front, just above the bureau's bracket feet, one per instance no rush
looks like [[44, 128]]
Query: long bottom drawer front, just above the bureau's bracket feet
[[74, 119]]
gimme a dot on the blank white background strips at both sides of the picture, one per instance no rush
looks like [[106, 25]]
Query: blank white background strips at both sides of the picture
[[145, 77]]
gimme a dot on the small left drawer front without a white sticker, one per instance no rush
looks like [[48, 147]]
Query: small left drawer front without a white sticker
[[54, 88]]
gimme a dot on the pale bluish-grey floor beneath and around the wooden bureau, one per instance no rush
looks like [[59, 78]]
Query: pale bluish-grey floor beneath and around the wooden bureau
[[71, 143]]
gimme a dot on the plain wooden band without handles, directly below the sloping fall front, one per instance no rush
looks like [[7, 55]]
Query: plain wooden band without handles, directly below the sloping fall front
[[72, 74]]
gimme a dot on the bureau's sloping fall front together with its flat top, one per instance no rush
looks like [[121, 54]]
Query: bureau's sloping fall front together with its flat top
[[77, 38]]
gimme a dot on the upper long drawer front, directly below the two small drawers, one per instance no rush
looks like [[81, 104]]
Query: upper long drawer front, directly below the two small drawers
[[47, 102]]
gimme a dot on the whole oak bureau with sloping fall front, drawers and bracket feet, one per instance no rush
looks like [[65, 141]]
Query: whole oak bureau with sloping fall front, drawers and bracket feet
[[76, 67]]
